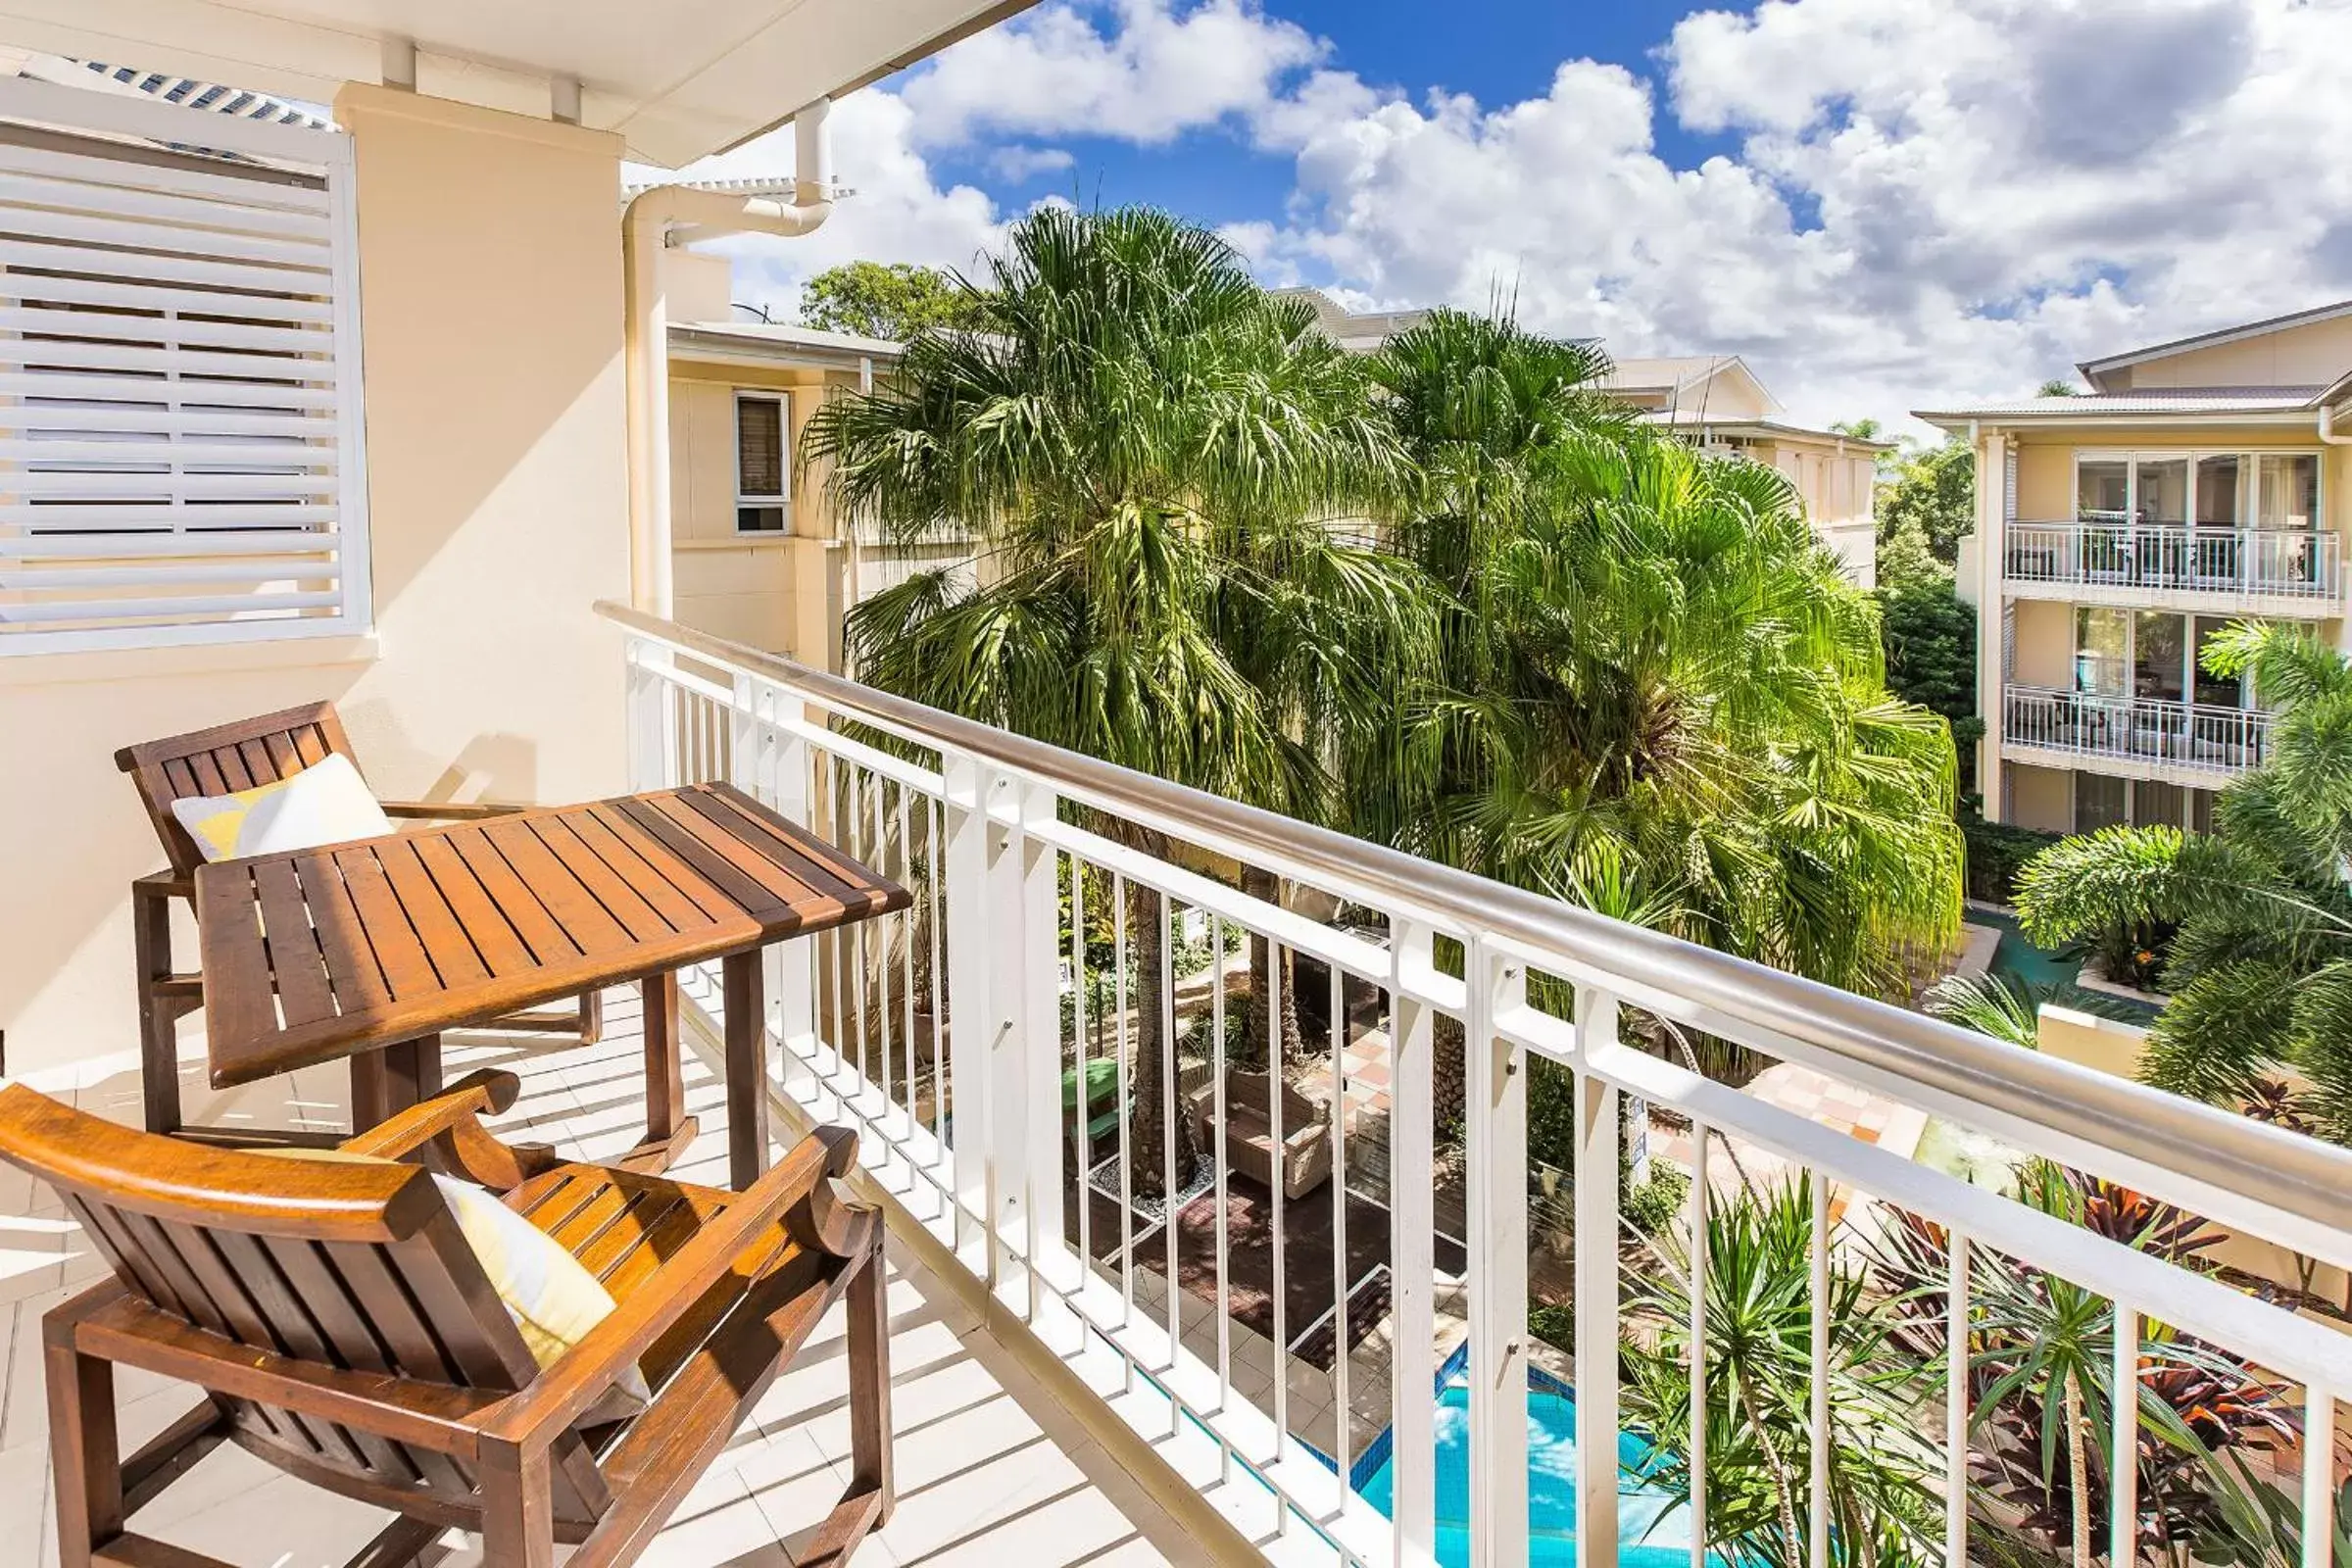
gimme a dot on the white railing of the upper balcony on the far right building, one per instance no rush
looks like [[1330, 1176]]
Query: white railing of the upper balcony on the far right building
[[2266, 563]]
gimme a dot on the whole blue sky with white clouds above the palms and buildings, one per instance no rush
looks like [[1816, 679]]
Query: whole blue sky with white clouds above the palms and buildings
[[1878, 203]]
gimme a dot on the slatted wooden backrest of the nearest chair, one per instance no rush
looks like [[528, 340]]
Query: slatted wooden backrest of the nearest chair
[[354, 1266]]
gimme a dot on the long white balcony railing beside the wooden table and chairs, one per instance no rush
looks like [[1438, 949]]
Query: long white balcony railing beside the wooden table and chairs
[[949, 1038]]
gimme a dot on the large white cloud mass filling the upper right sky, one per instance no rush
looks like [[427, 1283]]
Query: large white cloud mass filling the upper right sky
[[1932, 199]]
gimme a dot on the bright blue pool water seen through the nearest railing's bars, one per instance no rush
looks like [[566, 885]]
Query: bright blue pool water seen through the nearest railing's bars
[[1655, 1532]]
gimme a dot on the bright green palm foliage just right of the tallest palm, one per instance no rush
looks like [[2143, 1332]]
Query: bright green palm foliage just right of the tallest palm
[[1657, 676]]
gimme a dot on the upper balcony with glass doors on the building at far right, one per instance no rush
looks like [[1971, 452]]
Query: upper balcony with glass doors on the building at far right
[[2198, 532]]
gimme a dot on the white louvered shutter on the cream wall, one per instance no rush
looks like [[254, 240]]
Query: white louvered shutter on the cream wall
[[180, 380]]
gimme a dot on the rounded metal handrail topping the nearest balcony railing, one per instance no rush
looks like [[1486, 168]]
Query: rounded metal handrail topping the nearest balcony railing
[[2224, 1153]]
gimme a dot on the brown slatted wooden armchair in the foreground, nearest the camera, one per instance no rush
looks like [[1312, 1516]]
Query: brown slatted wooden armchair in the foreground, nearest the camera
[[342, 1329]]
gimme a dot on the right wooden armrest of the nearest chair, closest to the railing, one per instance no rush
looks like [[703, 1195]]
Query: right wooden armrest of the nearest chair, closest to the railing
[[563, 1393]]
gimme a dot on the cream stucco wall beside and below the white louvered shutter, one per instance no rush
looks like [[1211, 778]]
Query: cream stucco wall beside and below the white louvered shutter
[[493, 370]]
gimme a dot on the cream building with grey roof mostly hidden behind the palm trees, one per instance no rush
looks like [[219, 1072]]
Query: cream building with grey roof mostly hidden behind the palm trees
[[1716, 403]]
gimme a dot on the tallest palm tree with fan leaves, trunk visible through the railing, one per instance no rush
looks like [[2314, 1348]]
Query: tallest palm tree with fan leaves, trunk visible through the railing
[[1151, 455]]
